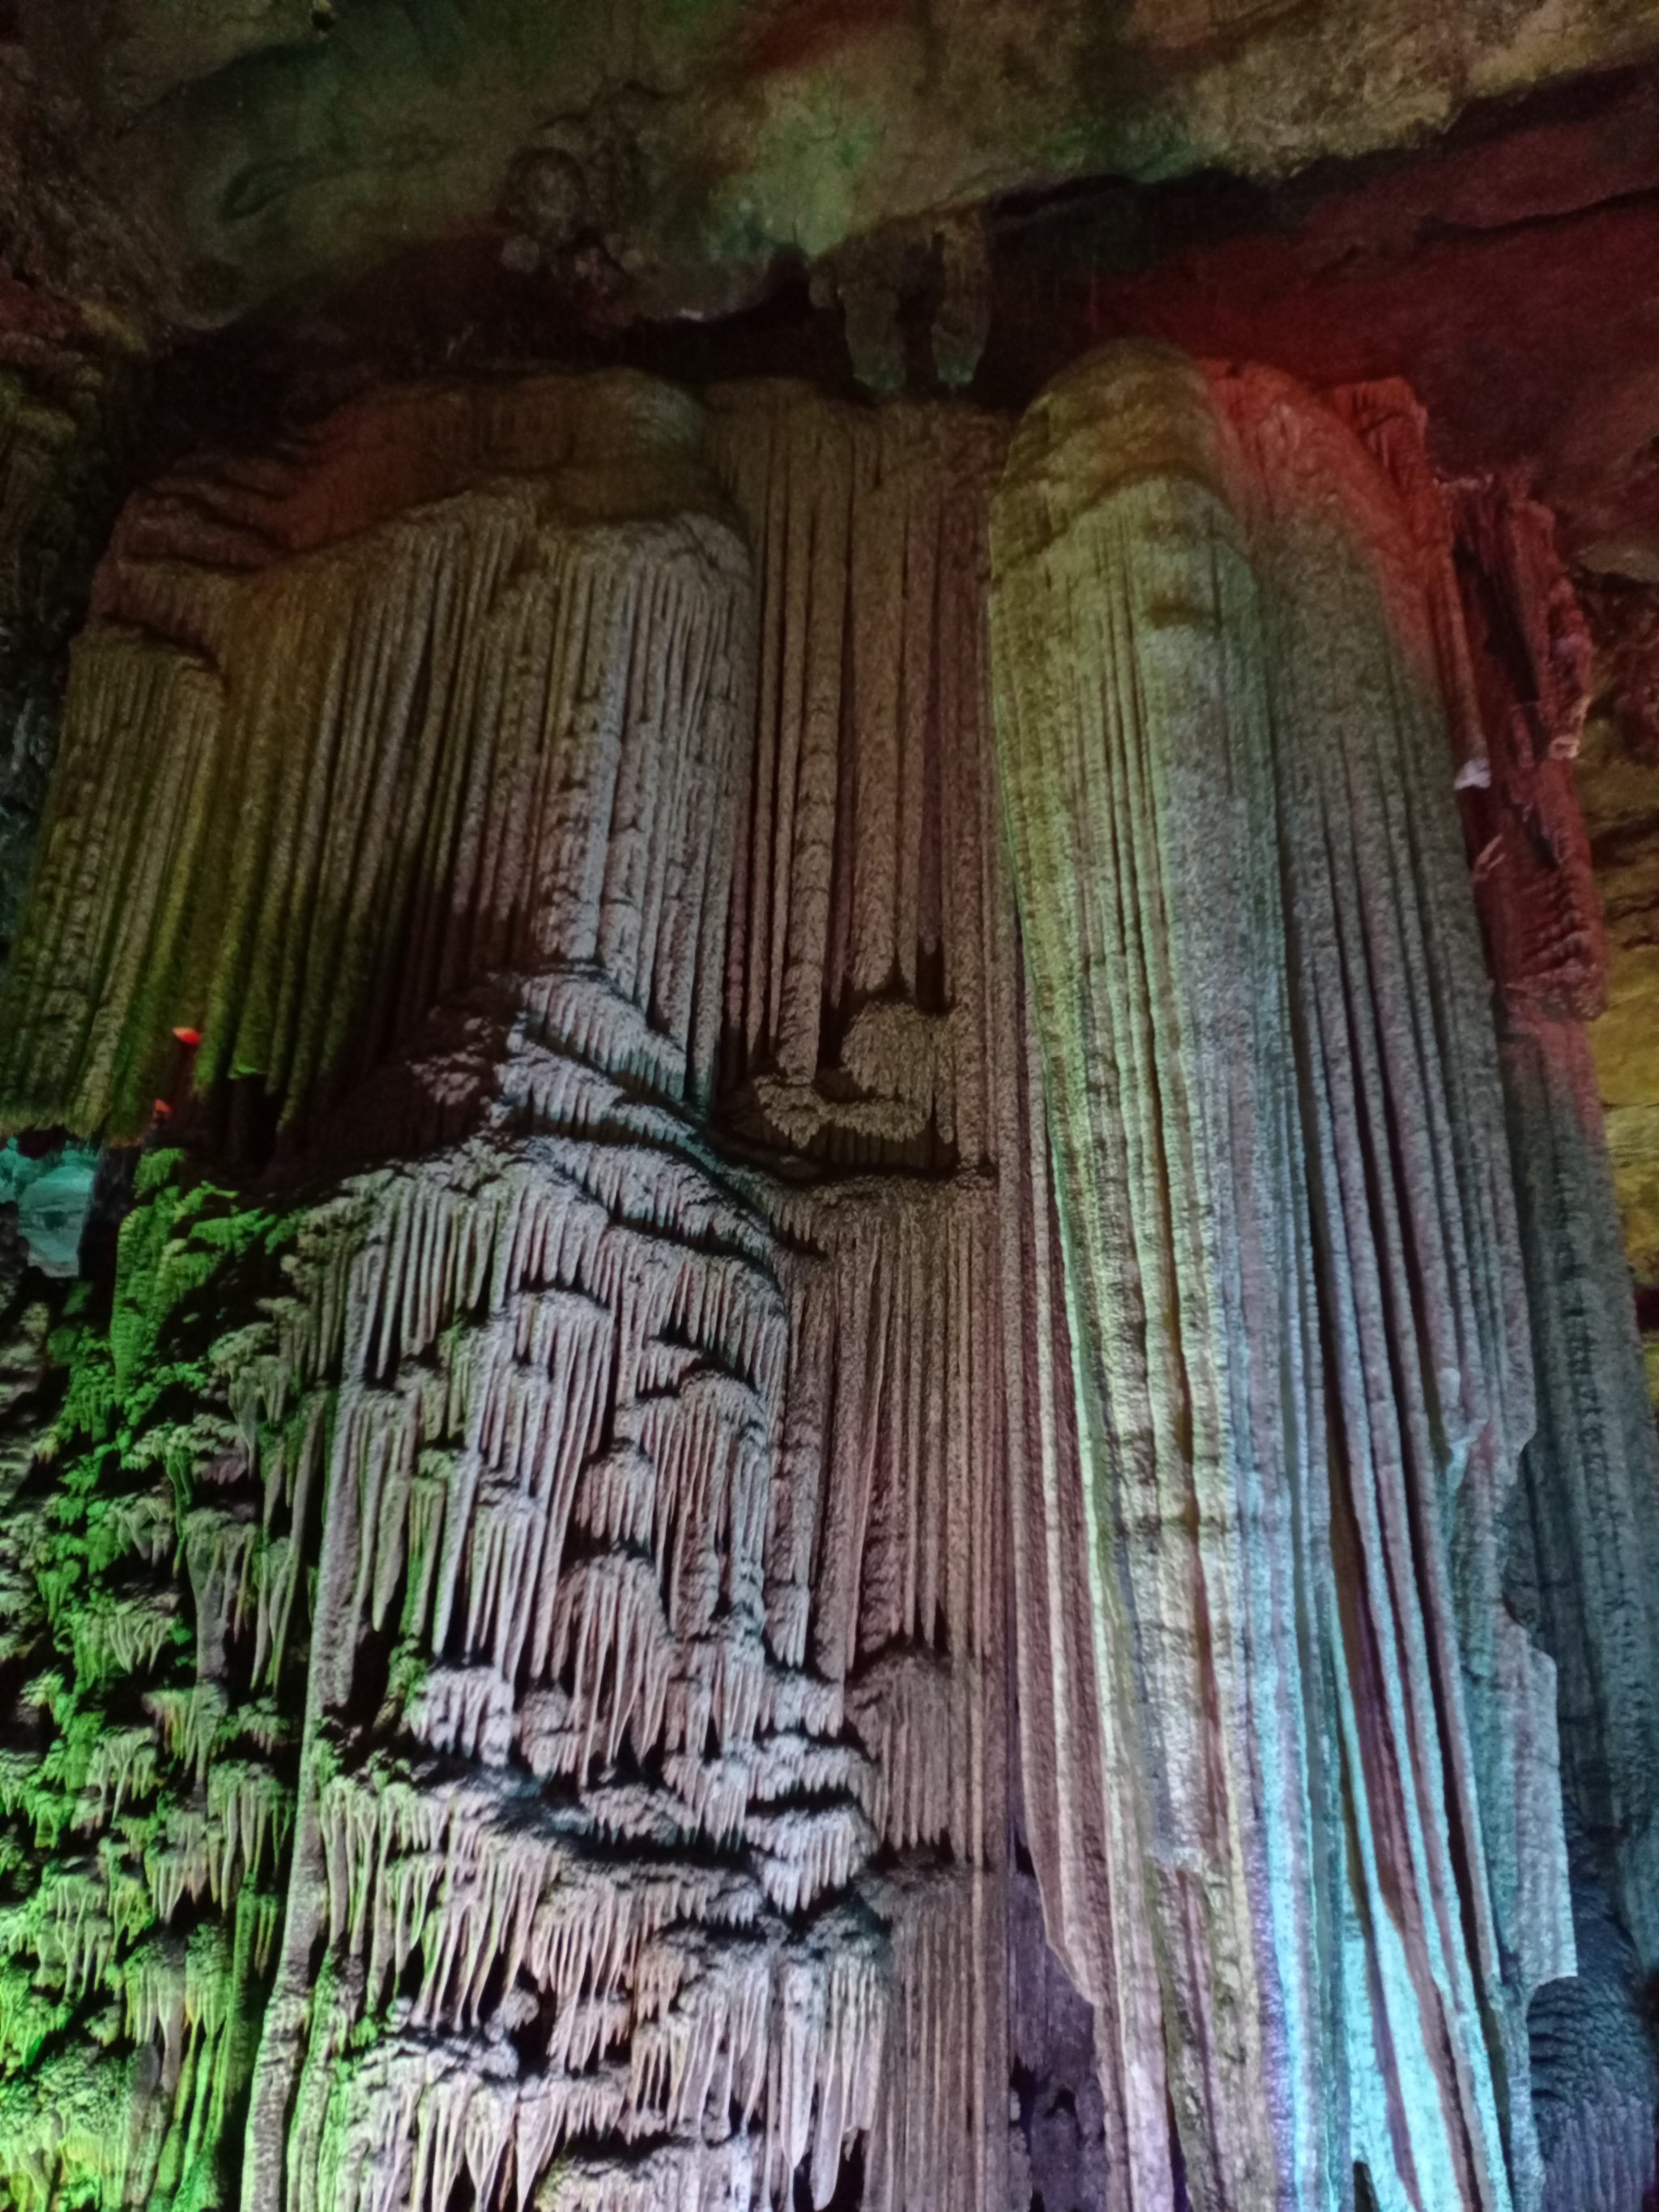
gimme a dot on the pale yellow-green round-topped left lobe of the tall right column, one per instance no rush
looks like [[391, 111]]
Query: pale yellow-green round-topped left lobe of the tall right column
[[1138, 782]]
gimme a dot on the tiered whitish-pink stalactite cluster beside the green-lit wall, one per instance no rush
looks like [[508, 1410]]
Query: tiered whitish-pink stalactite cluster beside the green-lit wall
[[561, 1373]]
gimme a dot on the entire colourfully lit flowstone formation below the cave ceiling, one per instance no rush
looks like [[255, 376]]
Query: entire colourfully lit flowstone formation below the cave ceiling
[[839, 1450]]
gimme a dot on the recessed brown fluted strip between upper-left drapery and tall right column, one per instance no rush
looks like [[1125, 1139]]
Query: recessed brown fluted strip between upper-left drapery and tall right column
[[862, 1010]]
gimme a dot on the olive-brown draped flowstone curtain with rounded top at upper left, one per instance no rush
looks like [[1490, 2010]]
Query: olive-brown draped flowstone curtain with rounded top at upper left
[[459, 691]]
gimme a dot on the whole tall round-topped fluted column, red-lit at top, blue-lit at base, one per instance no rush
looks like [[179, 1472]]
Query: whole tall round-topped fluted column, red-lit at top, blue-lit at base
[[1291, 1280]]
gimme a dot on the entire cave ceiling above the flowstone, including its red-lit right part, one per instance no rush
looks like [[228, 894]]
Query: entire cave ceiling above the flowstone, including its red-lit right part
[[895, 196]]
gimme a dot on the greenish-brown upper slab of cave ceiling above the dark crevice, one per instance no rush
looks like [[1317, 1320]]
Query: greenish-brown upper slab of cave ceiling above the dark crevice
[[194, 165]]
